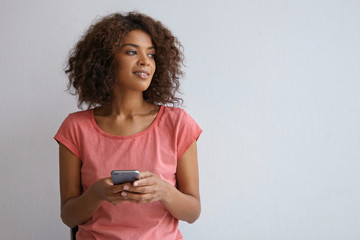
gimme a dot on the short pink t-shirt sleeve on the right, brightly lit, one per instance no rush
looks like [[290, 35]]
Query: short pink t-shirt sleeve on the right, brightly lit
[[189, 131]]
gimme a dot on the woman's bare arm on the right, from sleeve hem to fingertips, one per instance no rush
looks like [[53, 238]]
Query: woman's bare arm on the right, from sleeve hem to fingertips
[[182, 202]]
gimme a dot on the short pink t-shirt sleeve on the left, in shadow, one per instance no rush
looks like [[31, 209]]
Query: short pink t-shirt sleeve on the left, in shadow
[[67, 135]]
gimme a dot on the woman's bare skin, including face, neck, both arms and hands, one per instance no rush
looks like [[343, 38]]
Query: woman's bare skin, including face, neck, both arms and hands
[[129, 114]]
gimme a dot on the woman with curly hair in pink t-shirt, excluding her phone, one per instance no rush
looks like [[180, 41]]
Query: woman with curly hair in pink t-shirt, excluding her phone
[[125, 69]]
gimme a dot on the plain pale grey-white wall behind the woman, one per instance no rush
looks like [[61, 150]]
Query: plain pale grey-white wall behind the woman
[[274, 85]]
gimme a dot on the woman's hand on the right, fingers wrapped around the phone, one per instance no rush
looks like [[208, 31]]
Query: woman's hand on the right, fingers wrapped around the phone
[[148, 189]]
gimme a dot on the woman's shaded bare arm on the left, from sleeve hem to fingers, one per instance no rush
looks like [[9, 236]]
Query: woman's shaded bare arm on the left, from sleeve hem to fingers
[[76, 208]]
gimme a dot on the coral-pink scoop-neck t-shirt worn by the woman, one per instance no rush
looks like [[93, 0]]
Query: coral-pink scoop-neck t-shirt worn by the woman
[[155, 149]]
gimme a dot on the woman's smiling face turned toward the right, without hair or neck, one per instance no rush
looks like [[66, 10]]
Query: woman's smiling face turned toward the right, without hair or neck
[[135, 63]]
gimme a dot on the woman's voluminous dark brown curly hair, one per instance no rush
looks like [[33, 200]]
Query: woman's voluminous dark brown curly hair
[[91, 64]]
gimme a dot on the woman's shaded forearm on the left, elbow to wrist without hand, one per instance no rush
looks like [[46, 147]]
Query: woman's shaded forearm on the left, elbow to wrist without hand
[[77, 210]]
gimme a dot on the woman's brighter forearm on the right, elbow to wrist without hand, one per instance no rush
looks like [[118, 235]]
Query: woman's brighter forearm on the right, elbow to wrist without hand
[[182, 206]]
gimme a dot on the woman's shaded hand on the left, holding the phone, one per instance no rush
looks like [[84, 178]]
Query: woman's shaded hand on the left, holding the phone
[[106, 191]]
